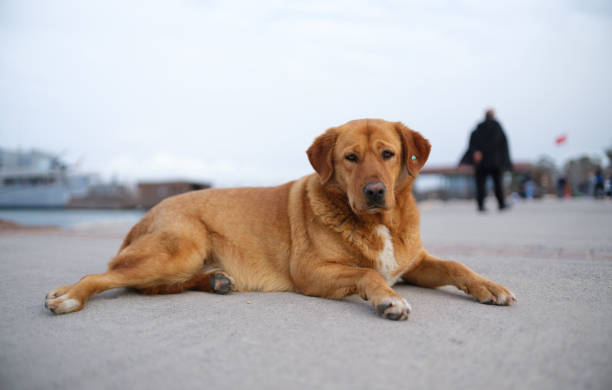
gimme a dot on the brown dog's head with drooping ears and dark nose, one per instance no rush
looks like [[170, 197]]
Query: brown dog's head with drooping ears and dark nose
[[370, 160]]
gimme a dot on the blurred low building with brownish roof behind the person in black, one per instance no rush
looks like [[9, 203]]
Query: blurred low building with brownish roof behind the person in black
[[457, 182]]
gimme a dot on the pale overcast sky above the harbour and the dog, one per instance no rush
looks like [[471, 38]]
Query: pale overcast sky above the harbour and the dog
[[235, 92]]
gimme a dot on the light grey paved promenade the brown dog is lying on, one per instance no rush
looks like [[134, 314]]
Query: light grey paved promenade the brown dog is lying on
[[556, 256]]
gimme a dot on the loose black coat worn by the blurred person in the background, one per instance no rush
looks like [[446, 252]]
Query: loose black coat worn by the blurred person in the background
[[490, 139]]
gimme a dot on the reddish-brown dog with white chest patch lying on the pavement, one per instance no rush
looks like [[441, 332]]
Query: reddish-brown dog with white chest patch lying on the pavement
[[351, 228]]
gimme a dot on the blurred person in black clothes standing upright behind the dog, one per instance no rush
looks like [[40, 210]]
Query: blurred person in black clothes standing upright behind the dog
[[488, 152]]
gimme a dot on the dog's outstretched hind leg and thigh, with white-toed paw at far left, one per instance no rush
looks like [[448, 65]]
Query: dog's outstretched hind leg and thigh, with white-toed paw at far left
[[151, 260]]
